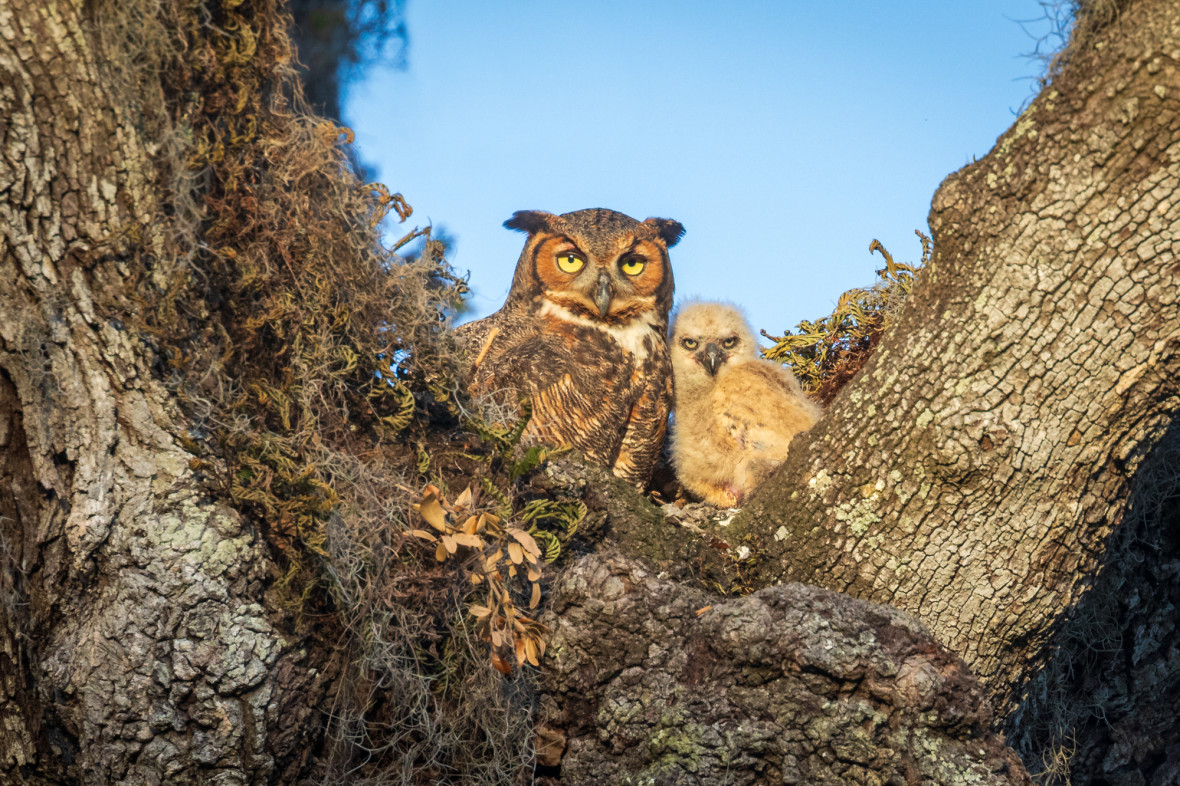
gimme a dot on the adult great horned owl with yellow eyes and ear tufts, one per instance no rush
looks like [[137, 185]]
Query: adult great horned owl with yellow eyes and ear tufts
[[582, 335]]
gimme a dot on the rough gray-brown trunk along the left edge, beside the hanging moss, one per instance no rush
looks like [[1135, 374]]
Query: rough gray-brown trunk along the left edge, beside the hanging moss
[[135, 640]]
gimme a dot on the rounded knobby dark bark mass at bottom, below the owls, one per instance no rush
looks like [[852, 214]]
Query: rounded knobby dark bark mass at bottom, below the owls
[[654, 683]]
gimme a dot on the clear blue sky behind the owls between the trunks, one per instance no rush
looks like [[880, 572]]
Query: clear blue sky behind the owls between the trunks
[[785, 136]]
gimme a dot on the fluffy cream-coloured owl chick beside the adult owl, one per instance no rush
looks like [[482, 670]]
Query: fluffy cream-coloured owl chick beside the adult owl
[[736, 414]]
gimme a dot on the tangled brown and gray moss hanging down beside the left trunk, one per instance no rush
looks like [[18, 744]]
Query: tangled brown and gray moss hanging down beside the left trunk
[[322, 390]]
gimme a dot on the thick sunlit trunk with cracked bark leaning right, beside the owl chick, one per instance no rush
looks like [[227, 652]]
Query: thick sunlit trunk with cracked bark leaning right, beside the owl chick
[[972, 473]]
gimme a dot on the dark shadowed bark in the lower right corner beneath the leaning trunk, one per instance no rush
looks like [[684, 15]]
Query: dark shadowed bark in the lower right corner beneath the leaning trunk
[[1104, 709]]
